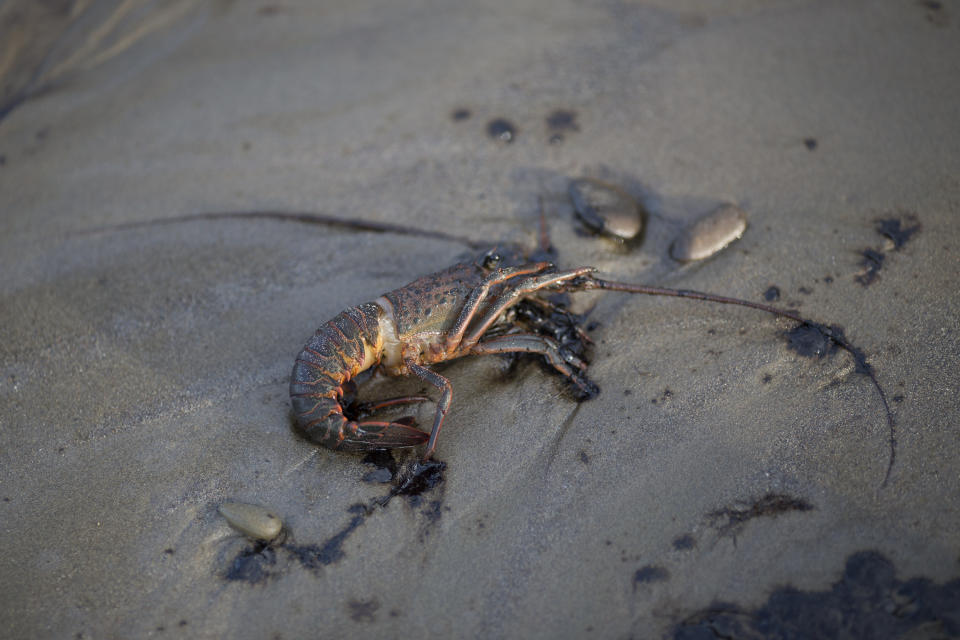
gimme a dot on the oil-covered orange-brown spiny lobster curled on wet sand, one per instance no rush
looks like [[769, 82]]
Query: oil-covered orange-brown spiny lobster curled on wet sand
[[439, 317]]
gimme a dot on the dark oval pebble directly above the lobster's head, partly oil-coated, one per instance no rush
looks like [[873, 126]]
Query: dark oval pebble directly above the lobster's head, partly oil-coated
[[606, 208]]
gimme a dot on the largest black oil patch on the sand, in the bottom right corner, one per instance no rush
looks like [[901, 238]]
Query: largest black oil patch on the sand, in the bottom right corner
[[868, 601]]
